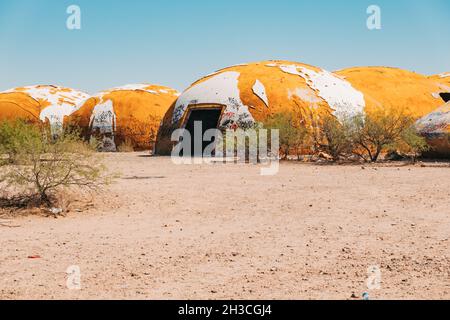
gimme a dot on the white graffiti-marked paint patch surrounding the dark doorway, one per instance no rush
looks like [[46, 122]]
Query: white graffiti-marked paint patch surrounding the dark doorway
[[220, 89]]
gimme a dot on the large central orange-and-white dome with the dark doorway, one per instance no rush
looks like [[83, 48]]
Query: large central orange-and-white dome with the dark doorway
[[247, 93]]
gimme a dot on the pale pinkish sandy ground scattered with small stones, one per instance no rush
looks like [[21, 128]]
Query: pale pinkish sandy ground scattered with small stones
[[166, 231]]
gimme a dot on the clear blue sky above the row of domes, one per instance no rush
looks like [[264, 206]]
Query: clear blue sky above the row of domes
[[175, 42]]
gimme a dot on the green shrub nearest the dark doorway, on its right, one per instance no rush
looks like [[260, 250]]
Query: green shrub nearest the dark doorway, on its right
[[292, 135]]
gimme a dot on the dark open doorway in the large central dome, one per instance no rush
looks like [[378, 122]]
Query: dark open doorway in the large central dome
[[209, 119]]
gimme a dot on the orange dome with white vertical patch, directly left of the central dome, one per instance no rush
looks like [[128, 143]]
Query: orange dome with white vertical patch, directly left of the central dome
[[129, 114]]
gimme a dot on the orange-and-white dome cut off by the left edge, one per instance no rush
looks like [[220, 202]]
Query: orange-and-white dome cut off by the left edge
[[40, 103]]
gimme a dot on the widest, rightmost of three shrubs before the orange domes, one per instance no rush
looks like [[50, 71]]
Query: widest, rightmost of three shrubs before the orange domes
[[379, 131]]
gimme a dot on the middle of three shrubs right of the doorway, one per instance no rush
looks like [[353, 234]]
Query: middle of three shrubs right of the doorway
[[334, 137]]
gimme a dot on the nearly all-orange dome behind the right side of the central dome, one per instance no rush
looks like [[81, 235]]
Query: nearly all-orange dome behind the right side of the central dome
[[394, 88]]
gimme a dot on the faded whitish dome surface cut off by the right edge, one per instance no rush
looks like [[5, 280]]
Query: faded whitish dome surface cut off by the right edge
[[436, 122]]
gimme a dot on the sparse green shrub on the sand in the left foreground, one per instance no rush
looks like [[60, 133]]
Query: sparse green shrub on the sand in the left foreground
[[43, 166]]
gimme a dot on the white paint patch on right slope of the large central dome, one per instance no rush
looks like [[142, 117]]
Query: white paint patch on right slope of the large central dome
[[337, 92]]
